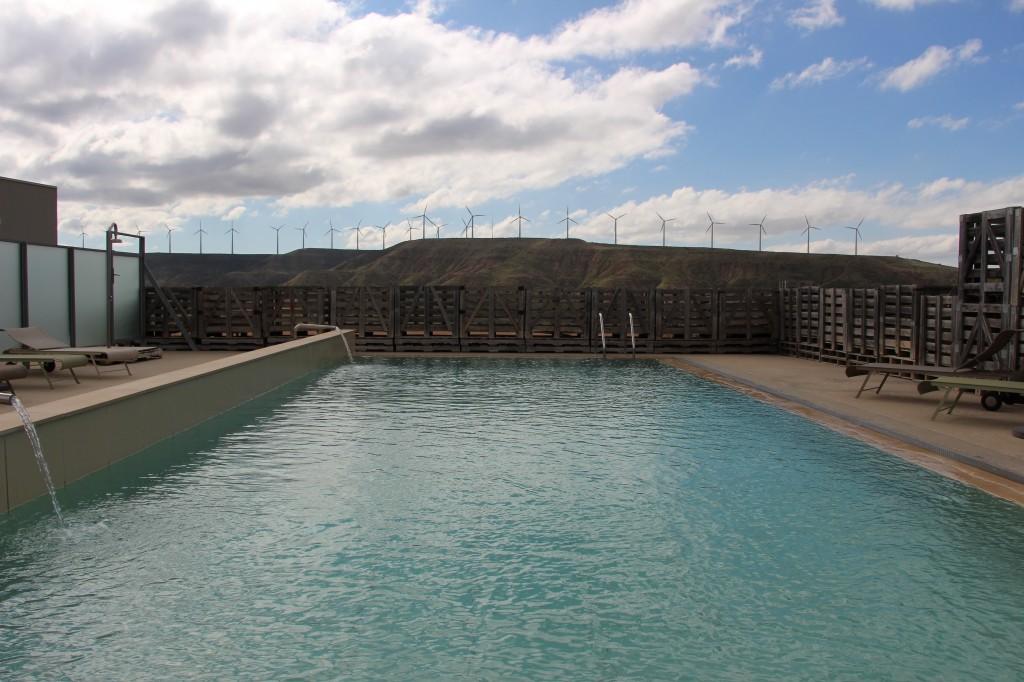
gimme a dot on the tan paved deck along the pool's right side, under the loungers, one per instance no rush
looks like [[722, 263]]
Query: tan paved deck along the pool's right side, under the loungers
[[971, 445]]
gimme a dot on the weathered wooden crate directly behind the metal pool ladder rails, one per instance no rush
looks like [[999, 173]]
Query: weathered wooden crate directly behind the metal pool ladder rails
[[616, 306]]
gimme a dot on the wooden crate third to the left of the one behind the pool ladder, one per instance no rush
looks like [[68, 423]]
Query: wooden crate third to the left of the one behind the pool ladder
[[428, 319]]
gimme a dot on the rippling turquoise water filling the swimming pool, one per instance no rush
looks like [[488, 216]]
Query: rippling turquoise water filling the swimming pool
[[514, 520]]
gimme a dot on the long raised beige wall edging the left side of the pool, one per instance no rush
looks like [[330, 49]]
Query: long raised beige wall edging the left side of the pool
[[84, 434]]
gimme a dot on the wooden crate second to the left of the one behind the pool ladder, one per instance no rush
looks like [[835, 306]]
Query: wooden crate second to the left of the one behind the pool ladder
[[492, 320]]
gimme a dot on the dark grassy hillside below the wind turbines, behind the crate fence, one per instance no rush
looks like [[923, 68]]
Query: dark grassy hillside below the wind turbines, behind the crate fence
[[535, 263]]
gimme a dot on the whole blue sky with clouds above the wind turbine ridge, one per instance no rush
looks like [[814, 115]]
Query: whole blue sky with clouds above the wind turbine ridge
[[321, 115]]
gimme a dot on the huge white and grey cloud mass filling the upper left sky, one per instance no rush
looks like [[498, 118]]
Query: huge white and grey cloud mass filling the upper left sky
[[155, 112]]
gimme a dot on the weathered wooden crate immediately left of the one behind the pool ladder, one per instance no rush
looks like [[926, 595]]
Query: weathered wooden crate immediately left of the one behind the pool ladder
[[558, 320]]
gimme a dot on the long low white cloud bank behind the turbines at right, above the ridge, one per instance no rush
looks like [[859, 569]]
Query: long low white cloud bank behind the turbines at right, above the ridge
[[931, 207]]
